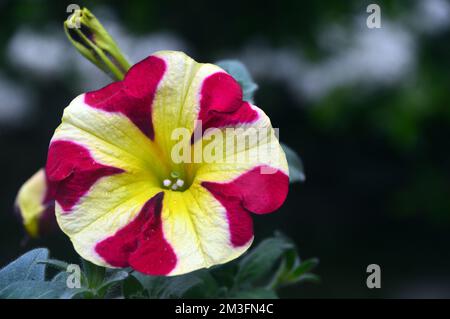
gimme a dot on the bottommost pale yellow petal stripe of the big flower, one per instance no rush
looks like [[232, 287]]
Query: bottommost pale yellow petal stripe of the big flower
[[197, 228]]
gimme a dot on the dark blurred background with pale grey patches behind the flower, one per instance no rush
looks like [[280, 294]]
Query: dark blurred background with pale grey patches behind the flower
[[367, 110]]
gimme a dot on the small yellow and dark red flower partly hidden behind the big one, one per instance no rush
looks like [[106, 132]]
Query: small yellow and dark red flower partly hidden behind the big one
[[36, 206]]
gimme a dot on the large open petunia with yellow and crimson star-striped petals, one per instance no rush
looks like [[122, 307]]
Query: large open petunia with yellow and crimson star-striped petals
[[122, 197]]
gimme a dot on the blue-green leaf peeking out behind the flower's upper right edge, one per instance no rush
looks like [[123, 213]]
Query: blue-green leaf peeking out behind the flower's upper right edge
[[240, 73]]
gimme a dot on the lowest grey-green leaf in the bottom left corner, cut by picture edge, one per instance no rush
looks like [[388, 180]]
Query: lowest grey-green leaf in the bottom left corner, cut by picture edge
[[32, 289]]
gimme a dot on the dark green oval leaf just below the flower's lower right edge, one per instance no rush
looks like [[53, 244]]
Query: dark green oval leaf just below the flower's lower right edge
[[258, 262]]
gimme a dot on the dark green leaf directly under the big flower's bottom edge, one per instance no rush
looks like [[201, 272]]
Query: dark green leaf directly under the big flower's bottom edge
[[167, 287]]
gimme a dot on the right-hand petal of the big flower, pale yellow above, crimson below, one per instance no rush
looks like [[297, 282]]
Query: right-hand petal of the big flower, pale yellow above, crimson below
[[252, 177]]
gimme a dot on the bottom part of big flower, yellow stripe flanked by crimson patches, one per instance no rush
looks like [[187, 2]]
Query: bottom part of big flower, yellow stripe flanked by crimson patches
[[184, 232]]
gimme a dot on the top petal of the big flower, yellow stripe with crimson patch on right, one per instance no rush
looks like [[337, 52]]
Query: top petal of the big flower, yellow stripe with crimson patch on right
[[190, 92]]
